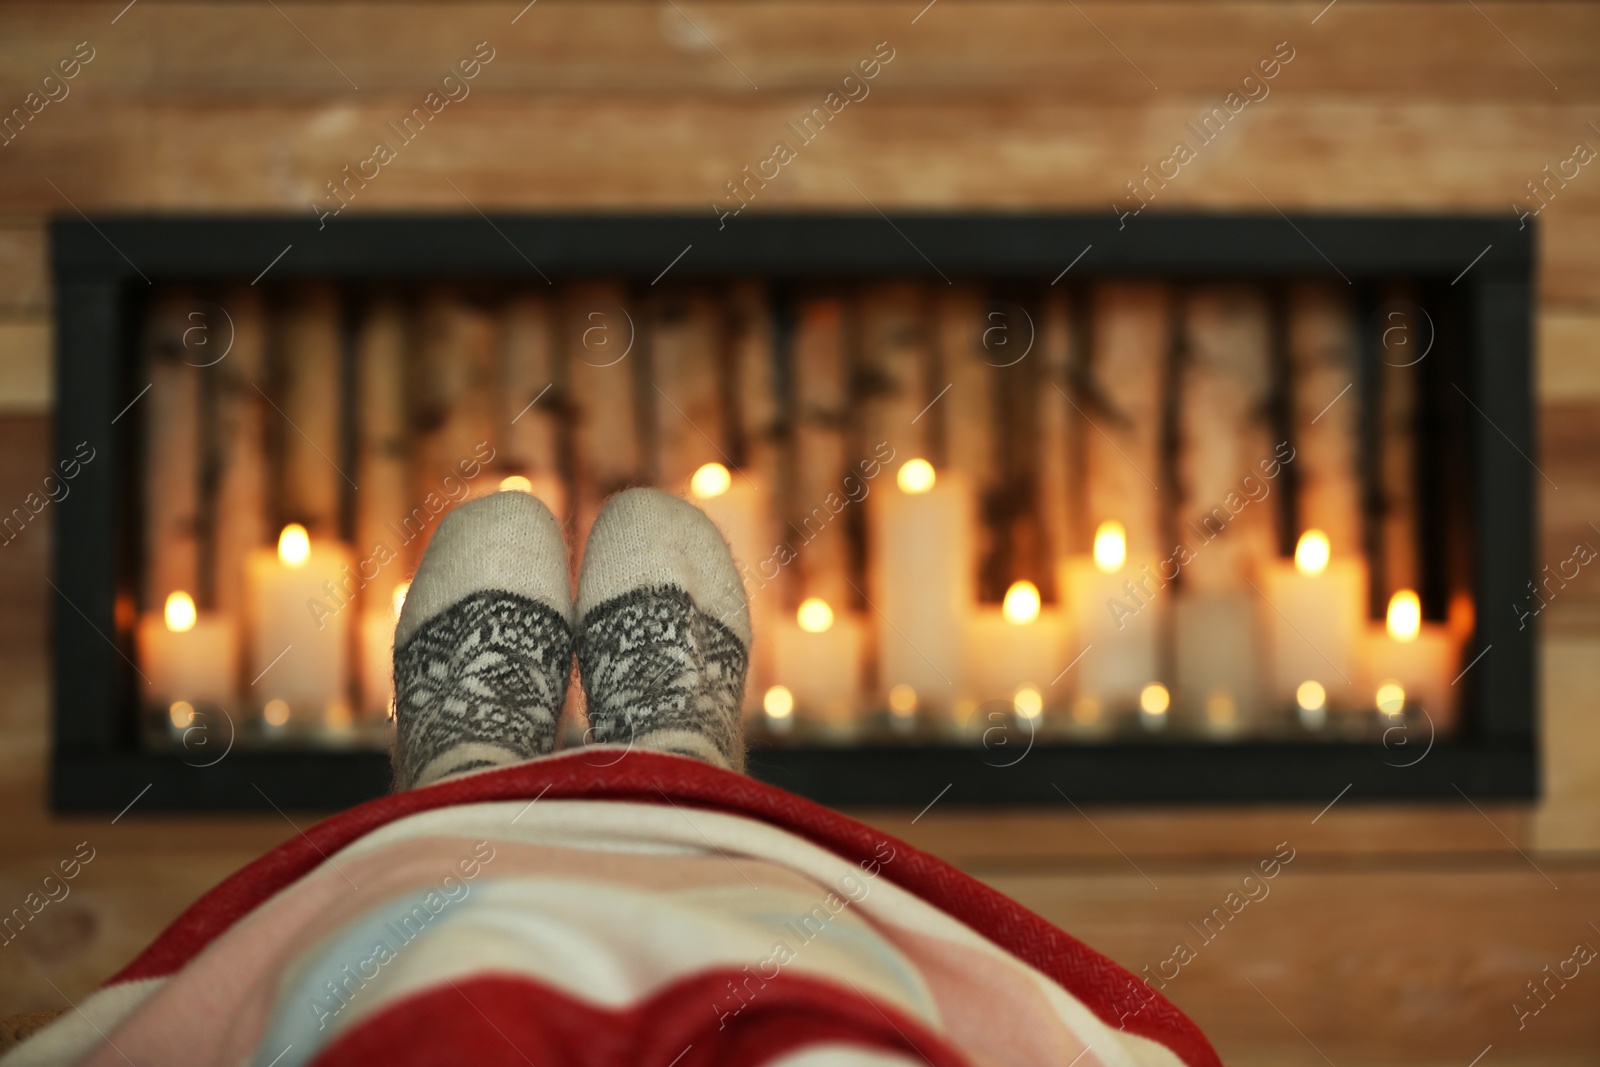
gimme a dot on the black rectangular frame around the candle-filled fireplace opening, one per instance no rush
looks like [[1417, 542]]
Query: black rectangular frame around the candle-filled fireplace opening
[[103, 265]]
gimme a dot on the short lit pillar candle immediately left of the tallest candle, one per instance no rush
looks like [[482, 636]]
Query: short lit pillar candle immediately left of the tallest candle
[[818, 661]]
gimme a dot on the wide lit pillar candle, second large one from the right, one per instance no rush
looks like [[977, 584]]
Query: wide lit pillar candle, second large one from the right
[[1314, 617]]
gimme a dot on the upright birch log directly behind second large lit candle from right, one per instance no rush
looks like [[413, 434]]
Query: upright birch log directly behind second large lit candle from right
[[1326, 414]]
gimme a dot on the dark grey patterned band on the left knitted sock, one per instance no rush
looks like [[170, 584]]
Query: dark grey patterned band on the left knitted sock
[[489, 669]]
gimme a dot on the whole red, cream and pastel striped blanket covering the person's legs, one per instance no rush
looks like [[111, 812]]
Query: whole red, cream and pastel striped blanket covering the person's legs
[[652, 911]]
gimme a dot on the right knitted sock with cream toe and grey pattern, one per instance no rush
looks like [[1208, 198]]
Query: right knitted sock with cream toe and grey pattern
[[665, 631]]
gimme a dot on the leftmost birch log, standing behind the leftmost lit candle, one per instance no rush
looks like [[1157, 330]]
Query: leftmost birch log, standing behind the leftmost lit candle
[[172, 457]]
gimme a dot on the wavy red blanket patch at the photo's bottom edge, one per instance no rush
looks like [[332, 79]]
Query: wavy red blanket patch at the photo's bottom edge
[[503, 1021]]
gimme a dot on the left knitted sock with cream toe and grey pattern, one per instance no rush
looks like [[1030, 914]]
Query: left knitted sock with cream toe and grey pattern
[[486, 642]]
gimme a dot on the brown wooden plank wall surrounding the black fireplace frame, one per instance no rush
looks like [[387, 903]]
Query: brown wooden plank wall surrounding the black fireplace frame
[[1399, 935]]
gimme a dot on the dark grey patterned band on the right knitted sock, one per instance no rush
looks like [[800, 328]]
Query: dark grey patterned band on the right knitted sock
[[652, 661]]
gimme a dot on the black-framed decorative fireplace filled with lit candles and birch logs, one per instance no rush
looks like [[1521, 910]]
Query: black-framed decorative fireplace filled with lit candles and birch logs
[[1191, 508]]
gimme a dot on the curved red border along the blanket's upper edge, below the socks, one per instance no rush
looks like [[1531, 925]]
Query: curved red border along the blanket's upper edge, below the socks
[[1110, 991]]
